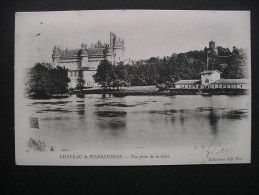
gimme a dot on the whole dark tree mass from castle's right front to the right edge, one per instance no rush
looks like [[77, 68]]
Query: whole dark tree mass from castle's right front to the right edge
[[170, 69]]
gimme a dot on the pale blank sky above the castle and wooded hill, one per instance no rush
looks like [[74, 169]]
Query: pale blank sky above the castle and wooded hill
[[146, 33]]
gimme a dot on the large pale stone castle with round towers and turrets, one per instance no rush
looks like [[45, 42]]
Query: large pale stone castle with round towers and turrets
[[88, 58]]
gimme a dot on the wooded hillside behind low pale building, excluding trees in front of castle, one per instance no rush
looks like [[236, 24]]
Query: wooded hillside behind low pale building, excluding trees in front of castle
[[232, 64]]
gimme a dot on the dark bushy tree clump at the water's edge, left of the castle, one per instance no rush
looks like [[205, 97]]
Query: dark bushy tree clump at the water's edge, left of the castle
[[44, 79]]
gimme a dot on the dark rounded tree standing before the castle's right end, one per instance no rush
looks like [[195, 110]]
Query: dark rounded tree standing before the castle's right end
[[105, 74]]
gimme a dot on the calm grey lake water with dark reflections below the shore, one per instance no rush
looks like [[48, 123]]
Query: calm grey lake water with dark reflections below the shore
[[139, 122]]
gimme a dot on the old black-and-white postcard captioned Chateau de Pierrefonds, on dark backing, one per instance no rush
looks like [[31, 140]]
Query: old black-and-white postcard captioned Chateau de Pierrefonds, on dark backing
[[132, 87]]
